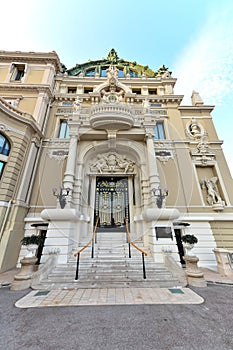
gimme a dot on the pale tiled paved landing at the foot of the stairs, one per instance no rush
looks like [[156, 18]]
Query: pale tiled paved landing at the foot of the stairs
[[109, 296]]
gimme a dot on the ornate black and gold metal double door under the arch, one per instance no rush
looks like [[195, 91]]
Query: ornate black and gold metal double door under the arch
[[112, 204]]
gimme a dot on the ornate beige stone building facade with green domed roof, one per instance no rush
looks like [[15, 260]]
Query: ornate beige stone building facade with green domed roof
[[115, 137]]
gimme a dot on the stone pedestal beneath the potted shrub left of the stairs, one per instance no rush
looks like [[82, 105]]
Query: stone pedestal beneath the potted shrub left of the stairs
[[23, 279]]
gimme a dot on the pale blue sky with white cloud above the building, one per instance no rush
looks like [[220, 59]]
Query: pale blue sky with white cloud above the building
[[194, 38]]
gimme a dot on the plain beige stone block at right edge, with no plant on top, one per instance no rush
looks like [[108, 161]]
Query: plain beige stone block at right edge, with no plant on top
[[224, 260]]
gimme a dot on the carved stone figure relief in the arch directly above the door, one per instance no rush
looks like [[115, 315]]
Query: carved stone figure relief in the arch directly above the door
[[111, 162]]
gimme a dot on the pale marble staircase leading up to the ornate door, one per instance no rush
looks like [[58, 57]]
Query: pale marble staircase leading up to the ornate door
[[111, 267]]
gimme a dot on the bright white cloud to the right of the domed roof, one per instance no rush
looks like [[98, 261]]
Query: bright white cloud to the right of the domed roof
[[206, 64]]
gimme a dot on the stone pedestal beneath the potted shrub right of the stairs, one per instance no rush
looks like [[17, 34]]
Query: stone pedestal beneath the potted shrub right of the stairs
[[194, 276]]
